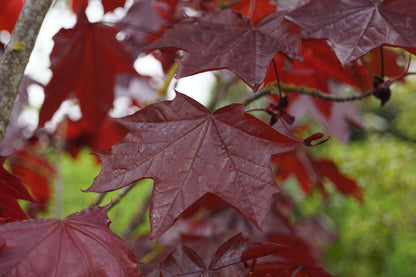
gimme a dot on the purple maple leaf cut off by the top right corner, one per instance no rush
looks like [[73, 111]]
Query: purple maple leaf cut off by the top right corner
[[357, 26]]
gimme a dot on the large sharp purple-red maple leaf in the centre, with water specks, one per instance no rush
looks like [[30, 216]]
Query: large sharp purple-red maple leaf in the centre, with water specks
[[190, 152]]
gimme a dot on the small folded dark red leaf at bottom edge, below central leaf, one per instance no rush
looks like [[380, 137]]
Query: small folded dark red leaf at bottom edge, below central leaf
[[186, 262]]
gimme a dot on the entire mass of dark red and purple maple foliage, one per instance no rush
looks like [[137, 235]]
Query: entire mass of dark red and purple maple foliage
[[215, 164]]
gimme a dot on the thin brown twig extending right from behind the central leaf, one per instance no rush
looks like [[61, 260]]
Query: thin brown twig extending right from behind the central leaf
[[273, 89]]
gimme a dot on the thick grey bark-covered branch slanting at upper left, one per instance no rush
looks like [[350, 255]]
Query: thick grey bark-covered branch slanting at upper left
[[16, 56]]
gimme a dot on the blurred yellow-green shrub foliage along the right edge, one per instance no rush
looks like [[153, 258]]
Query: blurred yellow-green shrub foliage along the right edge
[[377, 238]]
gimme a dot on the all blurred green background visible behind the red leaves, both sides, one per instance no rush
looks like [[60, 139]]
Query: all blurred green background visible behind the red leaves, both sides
[[376, 238]]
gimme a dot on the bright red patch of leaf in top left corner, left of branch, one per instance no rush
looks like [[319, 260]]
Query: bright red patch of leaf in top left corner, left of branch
[[9, 12]]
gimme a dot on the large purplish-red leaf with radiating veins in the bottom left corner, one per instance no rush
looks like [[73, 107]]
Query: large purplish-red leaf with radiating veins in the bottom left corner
[[51, 247]]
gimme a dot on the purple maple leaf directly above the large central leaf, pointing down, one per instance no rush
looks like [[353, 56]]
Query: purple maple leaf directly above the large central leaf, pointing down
[[228, 40]]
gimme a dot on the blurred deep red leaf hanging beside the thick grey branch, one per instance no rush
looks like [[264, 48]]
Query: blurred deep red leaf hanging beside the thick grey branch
[[84, 62]]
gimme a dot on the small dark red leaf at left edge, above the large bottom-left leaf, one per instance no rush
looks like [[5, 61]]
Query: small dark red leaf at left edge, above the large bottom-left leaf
[[11, 189]]
